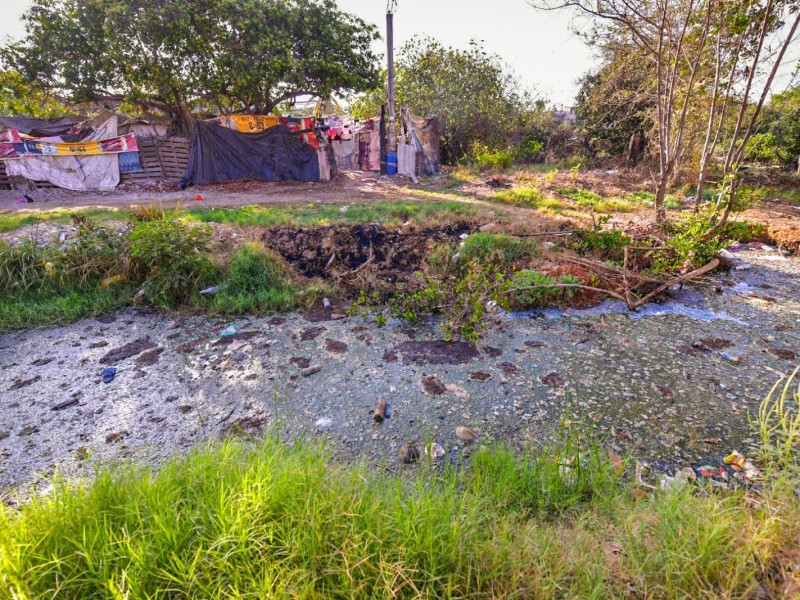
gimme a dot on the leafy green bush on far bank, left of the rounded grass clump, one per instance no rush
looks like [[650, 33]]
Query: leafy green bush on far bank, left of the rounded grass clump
[[170, 258]]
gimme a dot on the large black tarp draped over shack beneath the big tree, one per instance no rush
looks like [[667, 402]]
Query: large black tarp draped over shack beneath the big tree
[[220, 154]]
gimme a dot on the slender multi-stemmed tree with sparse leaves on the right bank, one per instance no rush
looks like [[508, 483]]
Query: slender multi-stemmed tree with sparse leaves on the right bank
[[705, 53]]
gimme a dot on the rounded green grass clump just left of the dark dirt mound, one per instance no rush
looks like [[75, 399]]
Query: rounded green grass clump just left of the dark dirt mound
[[256, 281]]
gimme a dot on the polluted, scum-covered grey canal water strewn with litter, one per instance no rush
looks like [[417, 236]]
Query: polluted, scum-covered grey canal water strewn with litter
[[656, 384]]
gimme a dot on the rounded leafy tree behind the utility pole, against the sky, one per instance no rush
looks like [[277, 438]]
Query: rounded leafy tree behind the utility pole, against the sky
[[475, 97]]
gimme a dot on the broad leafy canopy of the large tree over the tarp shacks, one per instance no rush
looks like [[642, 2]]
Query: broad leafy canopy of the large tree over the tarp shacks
[[248, 55]]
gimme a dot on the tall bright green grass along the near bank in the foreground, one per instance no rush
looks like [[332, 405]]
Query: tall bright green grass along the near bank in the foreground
[[270, 521]]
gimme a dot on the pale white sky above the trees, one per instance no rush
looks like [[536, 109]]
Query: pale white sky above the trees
[[538, 46]]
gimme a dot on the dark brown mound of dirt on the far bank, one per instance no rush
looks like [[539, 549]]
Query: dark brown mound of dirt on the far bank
[[338, 251]]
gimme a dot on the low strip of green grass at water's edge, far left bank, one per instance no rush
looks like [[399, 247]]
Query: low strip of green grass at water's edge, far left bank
[[26, 310]]
